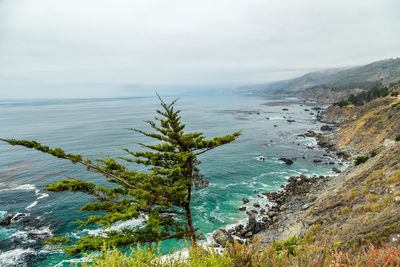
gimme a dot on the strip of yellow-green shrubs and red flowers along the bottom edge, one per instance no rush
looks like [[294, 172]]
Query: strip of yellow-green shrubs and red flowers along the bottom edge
[[237, 255]]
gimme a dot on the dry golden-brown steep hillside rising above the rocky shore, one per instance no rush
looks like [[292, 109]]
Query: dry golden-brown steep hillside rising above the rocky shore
[[361, 205]]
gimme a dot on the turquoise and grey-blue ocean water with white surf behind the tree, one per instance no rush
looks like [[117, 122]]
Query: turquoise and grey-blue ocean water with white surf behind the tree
[[96, 128]]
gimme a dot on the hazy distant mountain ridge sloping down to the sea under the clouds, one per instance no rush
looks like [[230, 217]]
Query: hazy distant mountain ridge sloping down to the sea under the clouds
[[331, 84]]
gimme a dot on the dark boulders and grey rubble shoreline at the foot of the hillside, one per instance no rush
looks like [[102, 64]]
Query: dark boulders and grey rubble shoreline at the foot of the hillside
[[284, 216]]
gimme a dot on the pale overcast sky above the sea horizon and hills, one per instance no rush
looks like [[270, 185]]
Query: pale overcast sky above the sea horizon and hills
[[106, 48]]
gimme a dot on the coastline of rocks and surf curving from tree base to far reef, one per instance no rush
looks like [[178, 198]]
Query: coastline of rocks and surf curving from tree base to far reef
[[282, 217]]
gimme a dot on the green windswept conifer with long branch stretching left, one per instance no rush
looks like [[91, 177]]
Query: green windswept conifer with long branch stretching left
[[161, 195]]
